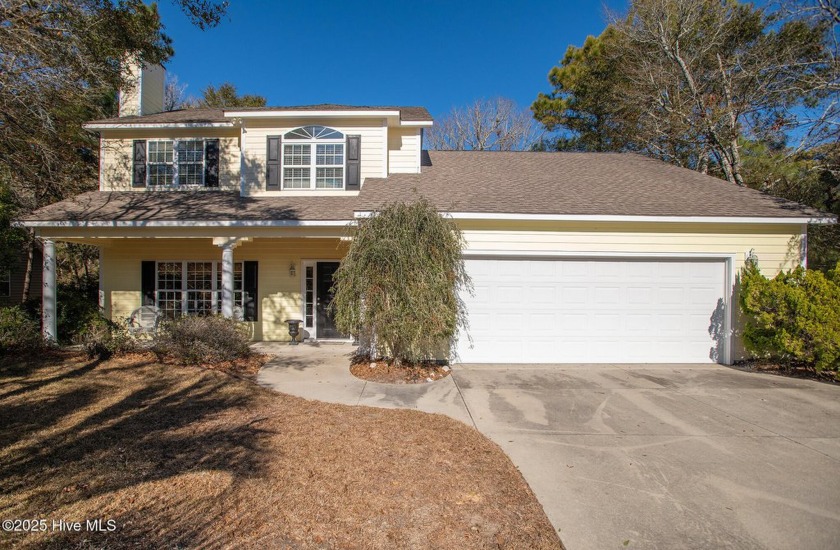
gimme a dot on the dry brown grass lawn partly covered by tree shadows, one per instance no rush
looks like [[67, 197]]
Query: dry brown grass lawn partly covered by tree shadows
[[184, 457]]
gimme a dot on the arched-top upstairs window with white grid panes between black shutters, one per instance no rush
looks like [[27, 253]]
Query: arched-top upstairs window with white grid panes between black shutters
[[313, 158]]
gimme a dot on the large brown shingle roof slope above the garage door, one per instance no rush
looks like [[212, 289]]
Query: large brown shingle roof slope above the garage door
[[572, 184]]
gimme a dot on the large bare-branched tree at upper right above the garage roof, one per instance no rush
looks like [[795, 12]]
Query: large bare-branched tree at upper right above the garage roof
[[715, 72]]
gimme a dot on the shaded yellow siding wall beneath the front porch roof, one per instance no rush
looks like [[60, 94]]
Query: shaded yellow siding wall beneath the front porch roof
[[279, 294]]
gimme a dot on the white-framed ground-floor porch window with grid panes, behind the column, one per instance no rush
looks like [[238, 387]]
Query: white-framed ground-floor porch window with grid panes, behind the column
[[194, 288]]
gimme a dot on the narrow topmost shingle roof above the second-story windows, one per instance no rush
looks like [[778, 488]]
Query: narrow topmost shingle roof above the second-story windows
[[203, 116]]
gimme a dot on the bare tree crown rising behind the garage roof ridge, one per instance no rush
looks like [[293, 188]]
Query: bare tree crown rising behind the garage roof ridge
[[486, 124]]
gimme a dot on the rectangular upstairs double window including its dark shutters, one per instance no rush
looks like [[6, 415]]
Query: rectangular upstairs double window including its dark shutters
[[176, 163]]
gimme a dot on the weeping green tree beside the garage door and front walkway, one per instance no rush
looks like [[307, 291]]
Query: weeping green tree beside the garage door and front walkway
[[397, 288]]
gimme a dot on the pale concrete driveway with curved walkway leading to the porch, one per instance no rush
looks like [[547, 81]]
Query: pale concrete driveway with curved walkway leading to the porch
[[634, 456]]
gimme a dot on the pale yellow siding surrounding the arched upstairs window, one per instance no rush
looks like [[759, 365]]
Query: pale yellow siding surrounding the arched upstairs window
[[254, 146]]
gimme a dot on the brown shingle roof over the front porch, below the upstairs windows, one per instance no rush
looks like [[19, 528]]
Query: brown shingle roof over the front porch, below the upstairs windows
[[192, 206]]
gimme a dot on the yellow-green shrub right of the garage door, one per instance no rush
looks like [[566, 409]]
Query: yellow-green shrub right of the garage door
[[794, 317]]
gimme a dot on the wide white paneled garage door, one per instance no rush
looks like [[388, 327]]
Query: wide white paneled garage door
[[594, 311]]
